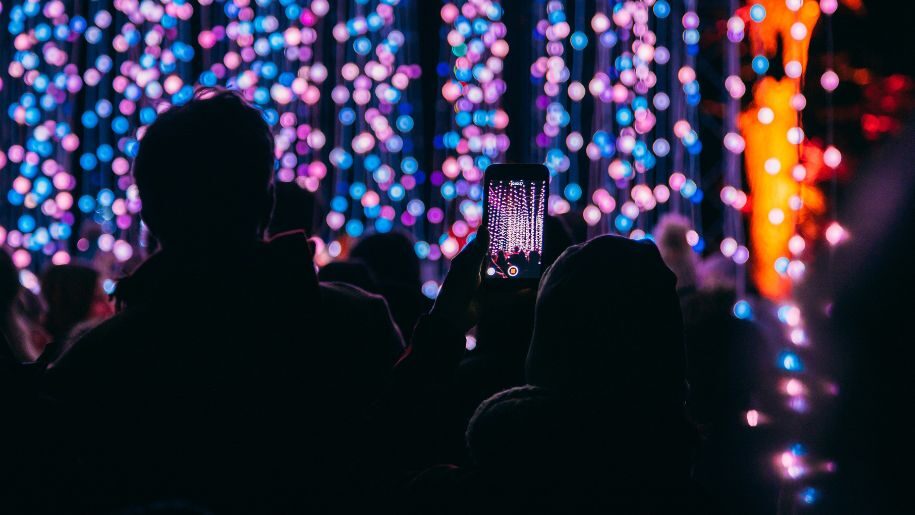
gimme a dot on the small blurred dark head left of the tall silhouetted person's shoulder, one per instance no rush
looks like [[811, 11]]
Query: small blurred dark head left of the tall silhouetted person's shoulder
[[73, 295]]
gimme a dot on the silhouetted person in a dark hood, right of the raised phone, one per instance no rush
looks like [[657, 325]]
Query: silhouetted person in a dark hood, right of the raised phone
[[602, 426]]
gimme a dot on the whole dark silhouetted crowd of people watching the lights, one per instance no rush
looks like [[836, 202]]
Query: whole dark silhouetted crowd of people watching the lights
[[226, 374]]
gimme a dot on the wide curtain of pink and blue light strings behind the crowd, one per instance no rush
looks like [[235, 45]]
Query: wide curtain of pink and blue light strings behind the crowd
[[337, 81]]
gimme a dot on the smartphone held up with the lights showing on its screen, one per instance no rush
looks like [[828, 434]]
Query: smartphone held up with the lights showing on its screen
[[514, 207]]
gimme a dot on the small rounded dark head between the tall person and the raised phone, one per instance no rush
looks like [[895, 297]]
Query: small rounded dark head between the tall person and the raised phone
[[389, 256]]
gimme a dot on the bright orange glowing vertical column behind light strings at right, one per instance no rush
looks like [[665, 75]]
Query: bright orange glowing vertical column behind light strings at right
[[765, 126]]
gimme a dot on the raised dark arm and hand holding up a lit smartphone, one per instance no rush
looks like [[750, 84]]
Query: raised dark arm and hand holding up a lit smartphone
[[497, 270]]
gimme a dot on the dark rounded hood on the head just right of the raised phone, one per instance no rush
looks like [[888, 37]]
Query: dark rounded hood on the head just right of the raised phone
[[608, 324]]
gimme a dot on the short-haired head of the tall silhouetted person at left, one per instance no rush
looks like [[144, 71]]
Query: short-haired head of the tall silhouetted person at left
[[205, 173]]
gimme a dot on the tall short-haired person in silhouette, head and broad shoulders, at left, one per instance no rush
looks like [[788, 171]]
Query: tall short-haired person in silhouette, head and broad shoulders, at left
[[215, 382]]
